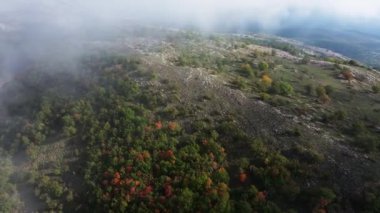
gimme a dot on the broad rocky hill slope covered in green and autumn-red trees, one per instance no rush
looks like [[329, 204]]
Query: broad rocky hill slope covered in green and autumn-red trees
[[227, 123]]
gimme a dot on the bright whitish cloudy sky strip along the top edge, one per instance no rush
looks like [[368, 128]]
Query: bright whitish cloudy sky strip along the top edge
[[204, 13]]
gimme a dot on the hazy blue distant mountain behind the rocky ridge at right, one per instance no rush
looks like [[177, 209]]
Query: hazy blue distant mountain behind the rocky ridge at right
[[357, 40]]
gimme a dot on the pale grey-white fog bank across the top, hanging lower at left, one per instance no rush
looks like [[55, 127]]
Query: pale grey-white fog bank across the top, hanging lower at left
[[31, 29]]
